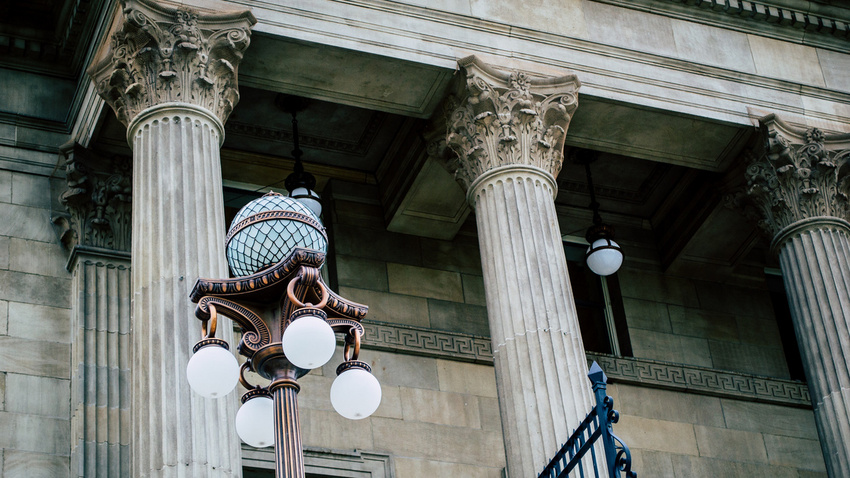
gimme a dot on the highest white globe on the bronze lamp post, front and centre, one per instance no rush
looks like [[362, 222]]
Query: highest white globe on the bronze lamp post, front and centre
[[309, 342]]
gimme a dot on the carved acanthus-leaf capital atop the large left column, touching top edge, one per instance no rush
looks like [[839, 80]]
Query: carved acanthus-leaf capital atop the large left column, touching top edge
[[161, 54]]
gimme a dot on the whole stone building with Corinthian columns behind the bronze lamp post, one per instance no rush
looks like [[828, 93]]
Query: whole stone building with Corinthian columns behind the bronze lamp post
[[444, 136]]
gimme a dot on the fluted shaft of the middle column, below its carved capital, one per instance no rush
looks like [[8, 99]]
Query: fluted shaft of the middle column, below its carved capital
[[541, 369]]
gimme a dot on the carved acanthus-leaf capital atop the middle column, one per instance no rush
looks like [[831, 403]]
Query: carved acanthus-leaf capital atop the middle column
[[509, 119]]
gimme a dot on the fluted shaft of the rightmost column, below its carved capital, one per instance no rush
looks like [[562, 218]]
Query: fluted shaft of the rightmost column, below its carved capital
[[815, 261]]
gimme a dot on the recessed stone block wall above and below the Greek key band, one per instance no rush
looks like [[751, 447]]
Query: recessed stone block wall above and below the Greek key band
[[439, 416]]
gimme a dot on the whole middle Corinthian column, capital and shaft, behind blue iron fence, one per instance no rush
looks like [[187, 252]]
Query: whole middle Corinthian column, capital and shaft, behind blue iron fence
[[508, 133]]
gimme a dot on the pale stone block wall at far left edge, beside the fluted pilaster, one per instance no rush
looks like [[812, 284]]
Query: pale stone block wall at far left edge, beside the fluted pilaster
[[35, 332]]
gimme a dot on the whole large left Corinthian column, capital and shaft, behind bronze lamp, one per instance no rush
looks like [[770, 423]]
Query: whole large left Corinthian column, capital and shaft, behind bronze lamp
[[170, 75]]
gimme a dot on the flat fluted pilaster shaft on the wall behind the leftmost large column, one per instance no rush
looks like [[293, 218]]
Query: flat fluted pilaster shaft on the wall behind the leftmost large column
[[101, 355]]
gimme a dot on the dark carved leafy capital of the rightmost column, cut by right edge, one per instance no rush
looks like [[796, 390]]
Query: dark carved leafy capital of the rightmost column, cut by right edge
[[797, 174]]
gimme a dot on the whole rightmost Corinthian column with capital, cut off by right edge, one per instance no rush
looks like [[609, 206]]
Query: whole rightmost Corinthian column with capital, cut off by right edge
[[799, 184]]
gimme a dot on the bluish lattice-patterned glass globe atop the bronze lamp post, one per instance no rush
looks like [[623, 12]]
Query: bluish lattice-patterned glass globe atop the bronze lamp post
[[266, 242]]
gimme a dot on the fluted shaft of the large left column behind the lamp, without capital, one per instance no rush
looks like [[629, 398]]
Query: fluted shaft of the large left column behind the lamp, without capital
[[178, 235]]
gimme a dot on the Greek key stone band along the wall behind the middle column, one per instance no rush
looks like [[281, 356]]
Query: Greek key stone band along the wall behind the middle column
[[629, 370]]
